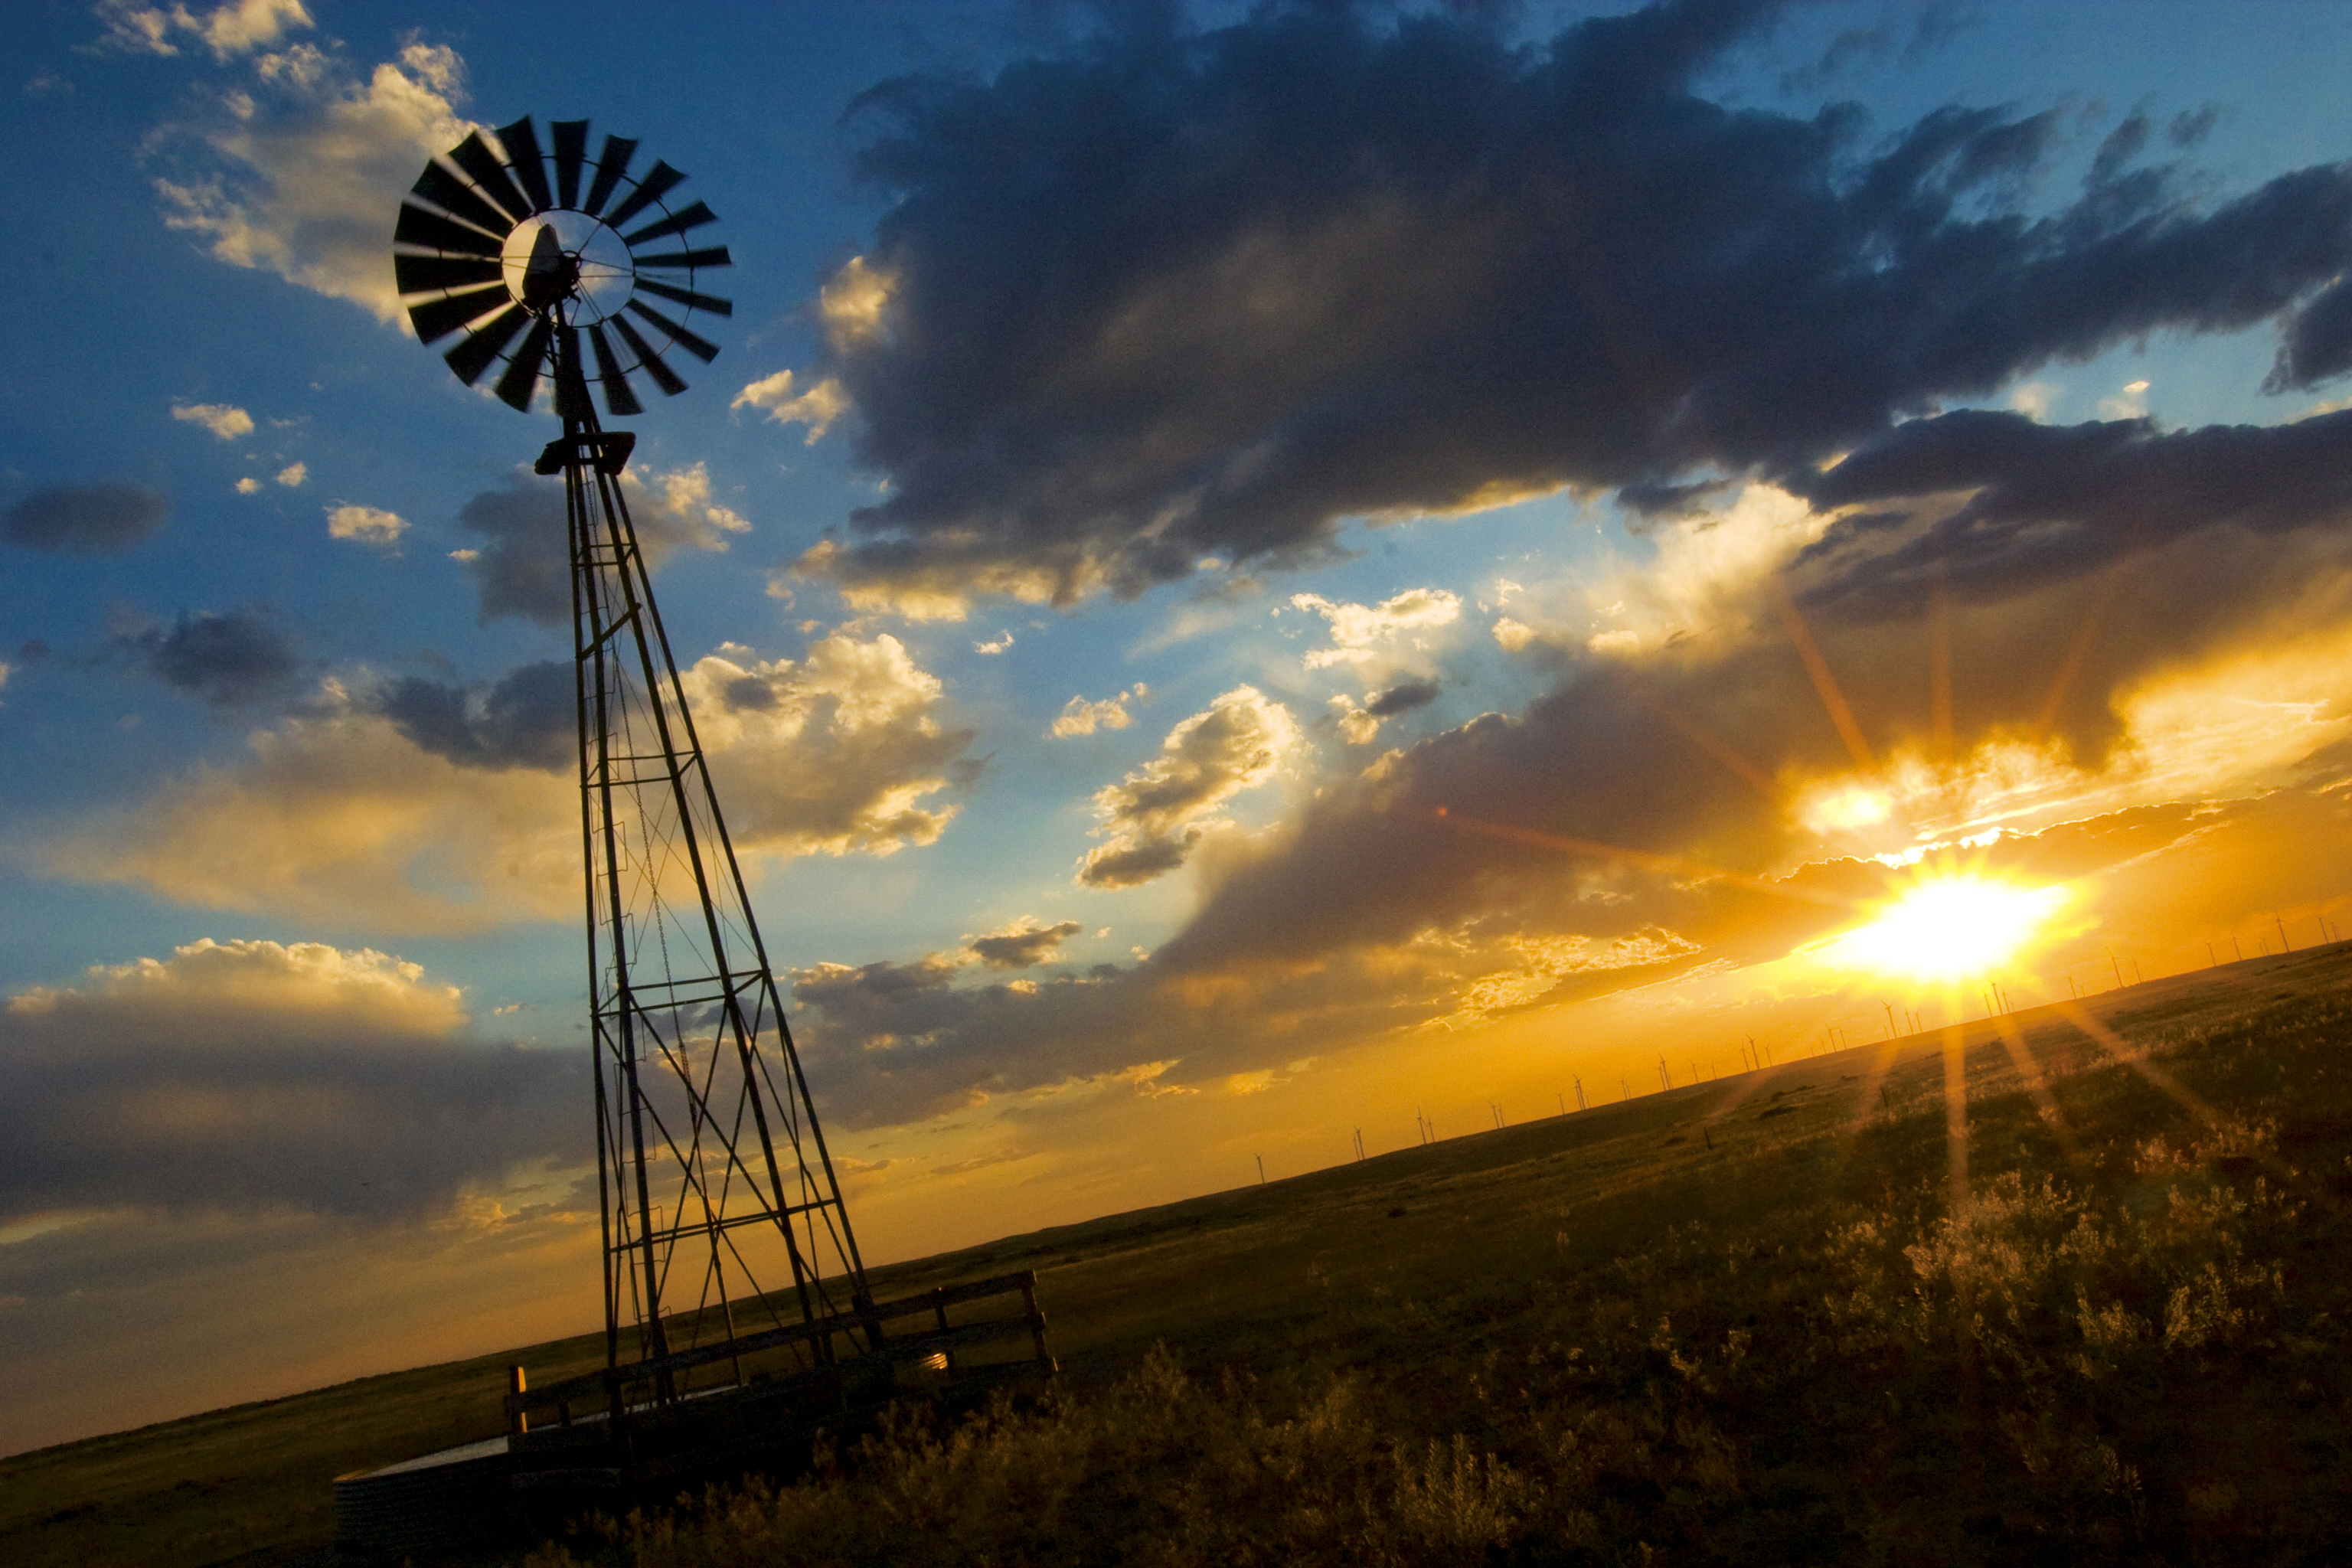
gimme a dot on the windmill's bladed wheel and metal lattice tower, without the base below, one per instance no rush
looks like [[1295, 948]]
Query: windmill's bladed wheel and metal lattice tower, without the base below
[[721, 1209]]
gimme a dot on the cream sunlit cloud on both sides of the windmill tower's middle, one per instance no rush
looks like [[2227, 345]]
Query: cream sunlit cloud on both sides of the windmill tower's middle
[[347, 817]]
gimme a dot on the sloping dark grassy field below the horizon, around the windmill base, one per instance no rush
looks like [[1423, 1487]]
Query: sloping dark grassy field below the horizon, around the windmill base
[[1760, 1320]]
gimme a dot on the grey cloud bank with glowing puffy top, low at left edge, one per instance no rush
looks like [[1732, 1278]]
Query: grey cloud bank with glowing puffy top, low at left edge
[[262, 1087]]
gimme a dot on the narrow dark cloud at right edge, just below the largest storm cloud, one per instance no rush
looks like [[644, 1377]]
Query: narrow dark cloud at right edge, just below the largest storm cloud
[[2054, 502]]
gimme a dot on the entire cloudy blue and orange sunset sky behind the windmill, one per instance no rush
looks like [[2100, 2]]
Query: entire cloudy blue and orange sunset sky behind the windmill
[[1250, 572]]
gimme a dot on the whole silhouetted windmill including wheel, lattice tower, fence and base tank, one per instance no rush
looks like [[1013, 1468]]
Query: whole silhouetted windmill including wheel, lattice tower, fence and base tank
[[737, 1311]]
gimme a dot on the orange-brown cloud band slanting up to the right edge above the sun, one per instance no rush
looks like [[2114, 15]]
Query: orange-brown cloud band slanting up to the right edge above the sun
[[1631, 777]]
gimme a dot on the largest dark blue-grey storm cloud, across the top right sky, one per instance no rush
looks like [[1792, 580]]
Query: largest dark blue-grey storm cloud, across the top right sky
[[1208, 293]]
